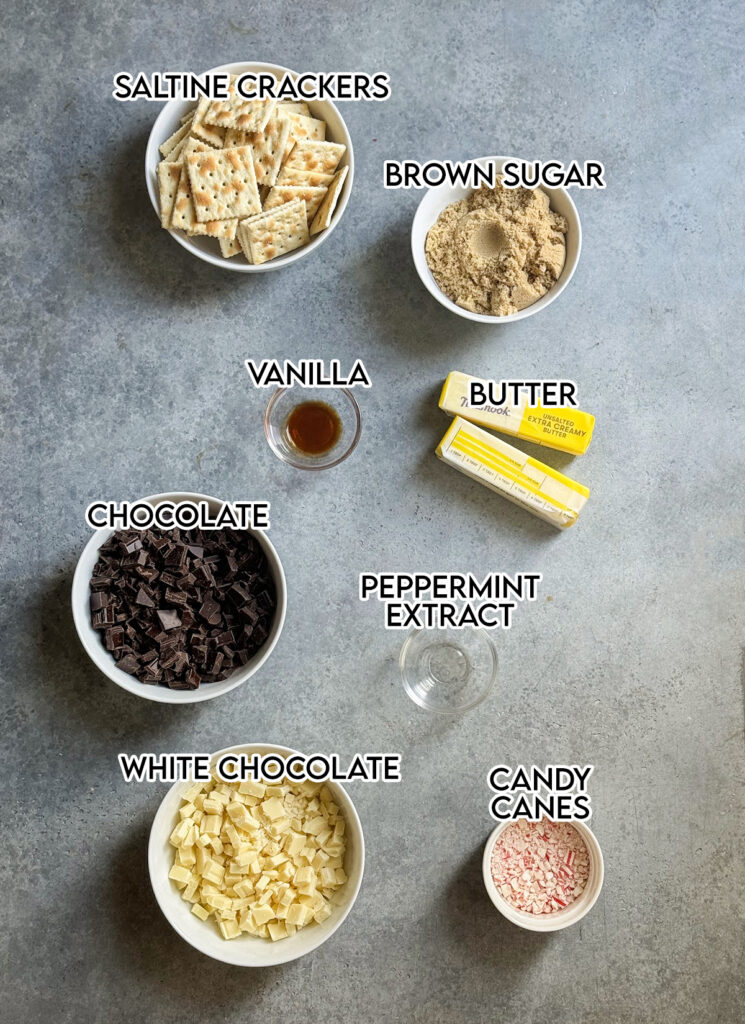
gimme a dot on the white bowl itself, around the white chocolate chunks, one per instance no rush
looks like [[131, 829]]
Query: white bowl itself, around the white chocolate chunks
[[249, 951]]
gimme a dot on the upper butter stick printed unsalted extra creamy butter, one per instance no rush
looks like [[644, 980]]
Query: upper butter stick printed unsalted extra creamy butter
[[565, 430]]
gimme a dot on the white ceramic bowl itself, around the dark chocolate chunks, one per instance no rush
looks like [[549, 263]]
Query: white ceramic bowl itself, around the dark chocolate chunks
[[101, 657]]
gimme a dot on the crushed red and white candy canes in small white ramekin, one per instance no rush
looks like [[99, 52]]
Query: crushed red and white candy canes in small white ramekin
[[540, 867]]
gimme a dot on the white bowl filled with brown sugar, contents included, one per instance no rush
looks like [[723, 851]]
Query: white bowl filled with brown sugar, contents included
[[496, 255]]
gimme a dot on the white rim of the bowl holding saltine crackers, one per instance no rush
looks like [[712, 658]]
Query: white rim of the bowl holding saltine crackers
[[157, 138]]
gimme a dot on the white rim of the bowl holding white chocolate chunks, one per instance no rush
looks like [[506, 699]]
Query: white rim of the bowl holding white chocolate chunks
[[156, 838]]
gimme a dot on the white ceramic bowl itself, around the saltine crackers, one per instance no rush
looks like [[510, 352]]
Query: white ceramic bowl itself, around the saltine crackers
[[168, 122]]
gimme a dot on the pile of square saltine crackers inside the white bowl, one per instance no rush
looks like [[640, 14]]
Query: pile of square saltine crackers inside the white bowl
[[256, 175]]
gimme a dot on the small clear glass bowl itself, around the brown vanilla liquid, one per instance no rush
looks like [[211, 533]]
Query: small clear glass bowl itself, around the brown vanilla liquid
[[286, 400]]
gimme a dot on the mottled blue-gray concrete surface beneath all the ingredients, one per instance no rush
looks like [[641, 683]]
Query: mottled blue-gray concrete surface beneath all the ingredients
[[123, 363]]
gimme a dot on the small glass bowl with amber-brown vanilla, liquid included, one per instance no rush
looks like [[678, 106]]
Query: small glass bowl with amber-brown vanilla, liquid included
[[313, 429]]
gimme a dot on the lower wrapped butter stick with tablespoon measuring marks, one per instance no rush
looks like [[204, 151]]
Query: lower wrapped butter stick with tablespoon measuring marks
[[513, 475]]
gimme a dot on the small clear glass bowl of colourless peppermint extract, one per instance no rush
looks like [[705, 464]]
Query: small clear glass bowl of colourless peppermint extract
[[449, 671]]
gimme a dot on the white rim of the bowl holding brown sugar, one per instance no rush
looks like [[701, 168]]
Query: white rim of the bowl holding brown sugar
[[430, 284]]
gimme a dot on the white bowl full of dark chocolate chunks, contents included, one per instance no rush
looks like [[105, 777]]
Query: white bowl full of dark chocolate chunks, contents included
[[180, 616]]
